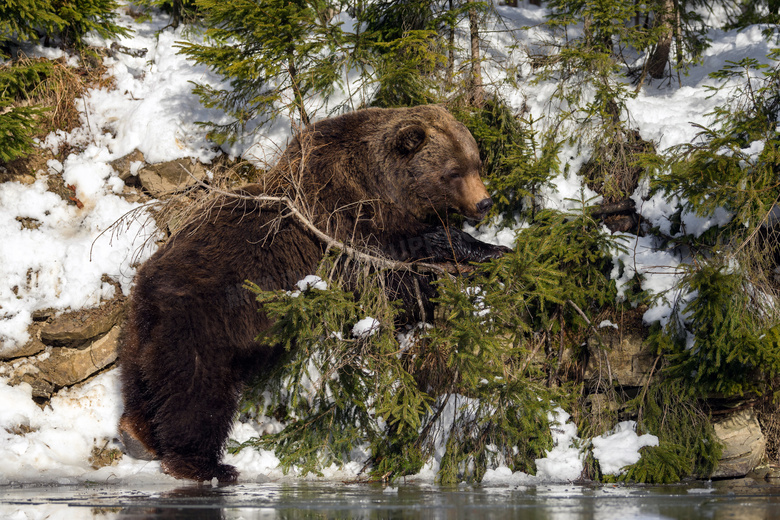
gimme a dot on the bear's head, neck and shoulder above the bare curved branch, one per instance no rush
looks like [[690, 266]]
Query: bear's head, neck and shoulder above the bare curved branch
[[409, 166]]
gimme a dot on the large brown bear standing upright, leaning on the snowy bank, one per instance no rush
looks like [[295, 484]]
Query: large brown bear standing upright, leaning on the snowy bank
[[382, 180]]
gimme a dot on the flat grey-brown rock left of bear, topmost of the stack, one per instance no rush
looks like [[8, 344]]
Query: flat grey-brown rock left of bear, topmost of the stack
[[79, 326]]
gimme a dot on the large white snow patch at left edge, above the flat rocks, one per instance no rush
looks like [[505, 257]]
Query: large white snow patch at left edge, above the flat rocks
[[59, 264]]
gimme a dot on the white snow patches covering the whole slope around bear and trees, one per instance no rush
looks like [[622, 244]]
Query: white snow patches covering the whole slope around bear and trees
[[151, 108]]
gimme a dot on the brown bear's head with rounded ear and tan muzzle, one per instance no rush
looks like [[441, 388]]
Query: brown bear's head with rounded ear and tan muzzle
[[440, 161]]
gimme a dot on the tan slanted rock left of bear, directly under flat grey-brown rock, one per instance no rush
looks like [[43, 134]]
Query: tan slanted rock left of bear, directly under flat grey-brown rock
[[67, 366]]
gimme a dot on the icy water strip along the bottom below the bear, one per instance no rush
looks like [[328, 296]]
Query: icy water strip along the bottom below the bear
[[741, 499]]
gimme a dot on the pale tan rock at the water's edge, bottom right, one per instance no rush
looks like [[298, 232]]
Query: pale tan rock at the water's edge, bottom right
[[743, 444]]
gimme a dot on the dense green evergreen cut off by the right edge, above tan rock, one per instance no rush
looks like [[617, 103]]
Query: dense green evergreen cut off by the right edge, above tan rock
[[723, 336]]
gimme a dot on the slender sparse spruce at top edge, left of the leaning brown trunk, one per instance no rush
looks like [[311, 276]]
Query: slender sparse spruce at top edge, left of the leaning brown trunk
[[591, 95]]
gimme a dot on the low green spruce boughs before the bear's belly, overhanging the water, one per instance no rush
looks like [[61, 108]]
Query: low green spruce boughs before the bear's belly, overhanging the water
[[473, 371]]
